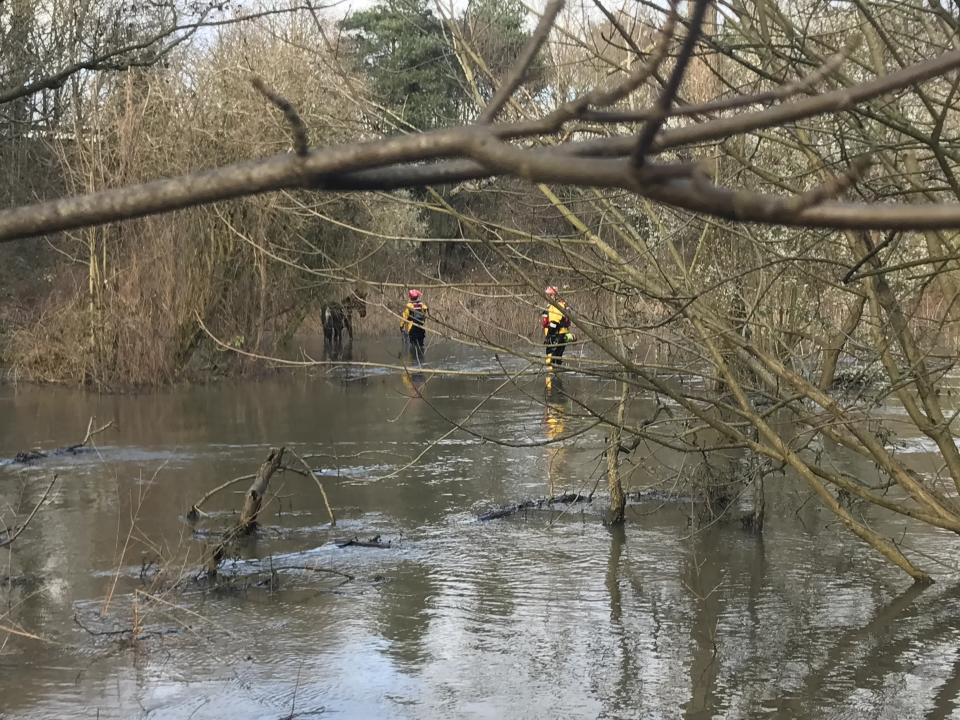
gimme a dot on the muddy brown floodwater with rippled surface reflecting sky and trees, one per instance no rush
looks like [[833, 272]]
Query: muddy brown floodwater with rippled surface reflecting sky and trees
[[544, 615]]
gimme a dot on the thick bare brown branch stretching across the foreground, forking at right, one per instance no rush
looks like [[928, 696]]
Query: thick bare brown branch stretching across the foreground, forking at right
[[418, 159]]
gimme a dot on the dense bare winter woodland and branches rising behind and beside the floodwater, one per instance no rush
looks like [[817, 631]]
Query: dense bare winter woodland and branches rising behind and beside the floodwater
[[751, 208]]
